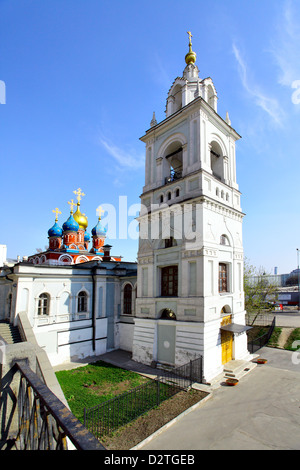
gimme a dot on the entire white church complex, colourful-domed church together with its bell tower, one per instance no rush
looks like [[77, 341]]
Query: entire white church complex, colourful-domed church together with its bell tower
[[184, 297]]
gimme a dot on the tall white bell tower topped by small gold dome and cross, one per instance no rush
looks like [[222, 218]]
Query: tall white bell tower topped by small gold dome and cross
[[190, 258]]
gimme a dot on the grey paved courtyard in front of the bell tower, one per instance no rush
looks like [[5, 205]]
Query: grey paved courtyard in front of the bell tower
[[262, 412]]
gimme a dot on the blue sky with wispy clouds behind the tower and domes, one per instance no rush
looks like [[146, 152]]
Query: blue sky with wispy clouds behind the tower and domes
[[83, 78]]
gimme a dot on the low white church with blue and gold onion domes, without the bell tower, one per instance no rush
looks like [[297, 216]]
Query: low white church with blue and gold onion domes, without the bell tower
[[79, 301]]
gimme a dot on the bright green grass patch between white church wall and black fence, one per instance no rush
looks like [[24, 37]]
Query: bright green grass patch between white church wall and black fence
[[95, 383]]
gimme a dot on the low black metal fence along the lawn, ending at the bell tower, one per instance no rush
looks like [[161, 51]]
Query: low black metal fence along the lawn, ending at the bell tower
[[108, 416]]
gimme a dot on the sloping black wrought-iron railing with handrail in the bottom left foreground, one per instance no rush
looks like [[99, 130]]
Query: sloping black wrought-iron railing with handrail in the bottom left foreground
[[44, 419]]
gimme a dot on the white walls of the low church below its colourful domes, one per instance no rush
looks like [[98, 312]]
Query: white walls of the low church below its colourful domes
[[63, 326]]
